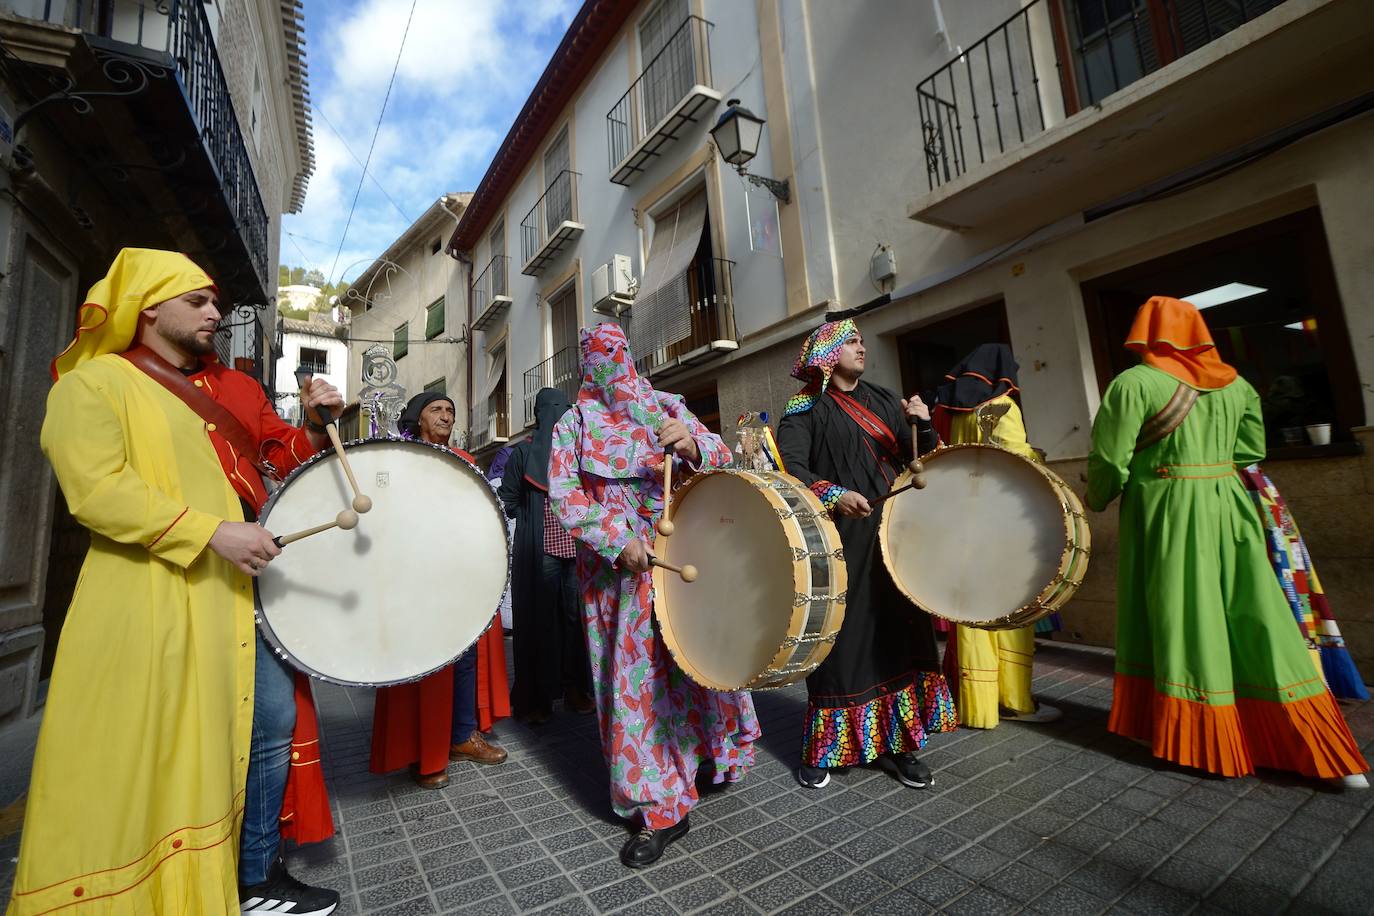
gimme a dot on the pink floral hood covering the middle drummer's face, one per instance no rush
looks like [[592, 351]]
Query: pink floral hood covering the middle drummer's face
[[622, 413]]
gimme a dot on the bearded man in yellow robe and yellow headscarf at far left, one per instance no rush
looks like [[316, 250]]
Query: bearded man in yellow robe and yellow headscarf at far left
[[138, 788]]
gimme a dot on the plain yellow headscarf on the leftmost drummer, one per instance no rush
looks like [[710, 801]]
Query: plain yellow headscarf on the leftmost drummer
[[109, 317]]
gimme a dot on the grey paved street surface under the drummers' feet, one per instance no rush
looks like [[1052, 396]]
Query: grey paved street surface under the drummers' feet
[[1044, 819]]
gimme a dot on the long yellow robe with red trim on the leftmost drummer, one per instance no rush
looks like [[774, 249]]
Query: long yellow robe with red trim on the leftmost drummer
[[137, 797]]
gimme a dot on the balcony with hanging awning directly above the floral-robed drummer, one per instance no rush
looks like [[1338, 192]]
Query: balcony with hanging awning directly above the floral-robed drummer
[[699, 314]]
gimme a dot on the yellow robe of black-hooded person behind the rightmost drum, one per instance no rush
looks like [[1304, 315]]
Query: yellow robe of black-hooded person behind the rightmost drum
[[994, 665]]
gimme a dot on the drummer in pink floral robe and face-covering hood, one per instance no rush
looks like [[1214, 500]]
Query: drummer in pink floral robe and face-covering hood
[[607, 488]]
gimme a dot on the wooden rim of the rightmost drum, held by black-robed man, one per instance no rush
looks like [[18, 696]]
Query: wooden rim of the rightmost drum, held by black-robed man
[[1072, 509]]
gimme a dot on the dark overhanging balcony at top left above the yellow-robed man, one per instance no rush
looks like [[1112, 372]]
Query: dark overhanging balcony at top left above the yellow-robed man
[[141, 83]]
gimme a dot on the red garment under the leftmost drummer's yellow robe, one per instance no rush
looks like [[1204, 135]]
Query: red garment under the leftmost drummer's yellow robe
[[306, 811]]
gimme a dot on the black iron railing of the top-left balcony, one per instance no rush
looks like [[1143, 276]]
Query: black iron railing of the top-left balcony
[[181, 30]]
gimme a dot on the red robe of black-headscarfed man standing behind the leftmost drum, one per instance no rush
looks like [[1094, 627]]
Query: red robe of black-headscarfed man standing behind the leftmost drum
[[413, 723]]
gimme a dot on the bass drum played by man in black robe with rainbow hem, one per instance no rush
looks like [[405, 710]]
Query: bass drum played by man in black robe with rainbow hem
[[994, 540]]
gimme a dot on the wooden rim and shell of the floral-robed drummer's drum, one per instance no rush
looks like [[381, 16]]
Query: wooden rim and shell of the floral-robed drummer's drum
[[837, 604]]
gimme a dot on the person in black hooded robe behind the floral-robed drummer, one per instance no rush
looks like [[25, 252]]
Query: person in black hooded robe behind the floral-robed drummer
[[550, 643]]
